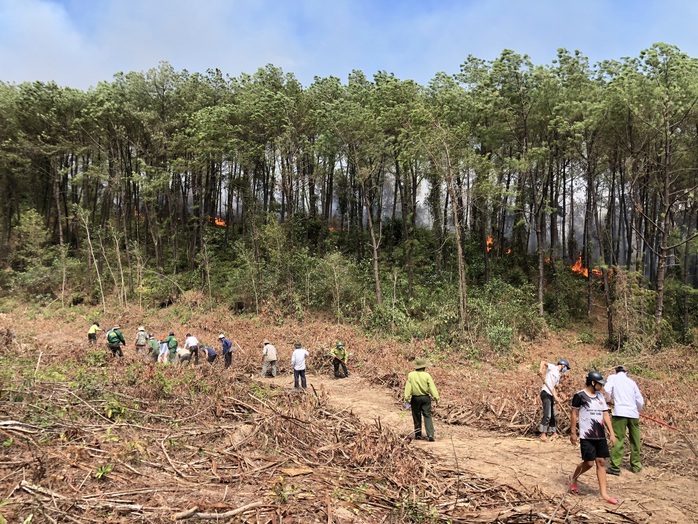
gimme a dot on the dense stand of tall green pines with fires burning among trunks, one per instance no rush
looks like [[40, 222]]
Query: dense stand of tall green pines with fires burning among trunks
[[489, 205]]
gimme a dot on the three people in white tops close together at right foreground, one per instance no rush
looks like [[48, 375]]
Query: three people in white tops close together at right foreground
[[590, 420]]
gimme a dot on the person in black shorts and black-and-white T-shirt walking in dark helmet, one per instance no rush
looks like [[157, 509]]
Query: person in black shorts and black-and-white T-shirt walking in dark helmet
[[590, 412]]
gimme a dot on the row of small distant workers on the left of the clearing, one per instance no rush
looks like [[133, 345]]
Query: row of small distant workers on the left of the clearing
[[165, 350]]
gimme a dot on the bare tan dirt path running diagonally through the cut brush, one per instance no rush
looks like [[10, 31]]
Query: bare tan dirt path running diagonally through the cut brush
[[653, 495]]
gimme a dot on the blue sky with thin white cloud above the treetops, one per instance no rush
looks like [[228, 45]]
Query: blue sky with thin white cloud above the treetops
[[79, 43]]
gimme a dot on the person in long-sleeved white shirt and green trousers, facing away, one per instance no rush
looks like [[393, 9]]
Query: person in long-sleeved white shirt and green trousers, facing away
[[627, 405]]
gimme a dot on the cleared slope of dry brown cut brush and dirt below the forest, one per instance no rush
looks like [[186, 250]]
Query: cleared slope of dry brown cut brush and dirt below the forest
[[87, 439]]
